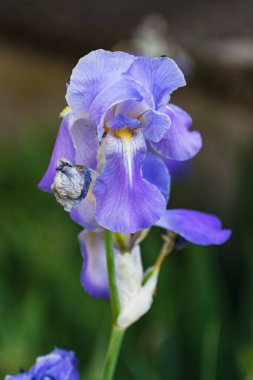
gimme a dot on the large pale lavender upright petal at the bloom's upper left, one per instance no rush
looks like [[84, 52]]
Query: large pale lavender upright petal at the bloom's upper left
[[96, 85]]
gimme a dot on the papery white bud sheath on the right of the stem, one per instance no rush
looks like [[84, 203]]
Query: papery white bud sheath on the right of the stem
[[135, 298]]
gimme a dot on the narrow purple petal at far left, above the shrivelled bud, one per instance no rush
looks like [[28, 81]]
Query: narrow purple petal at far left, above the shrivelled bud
[[63, 148]]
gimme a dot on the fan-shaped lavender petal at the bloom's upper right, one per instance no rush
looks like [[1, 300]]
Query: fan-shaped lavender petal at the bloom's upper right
[[155, 79]]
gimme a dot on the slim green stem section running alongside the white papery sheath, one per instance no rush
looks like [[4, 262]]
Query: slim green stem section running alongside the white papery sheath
[[114, 297]]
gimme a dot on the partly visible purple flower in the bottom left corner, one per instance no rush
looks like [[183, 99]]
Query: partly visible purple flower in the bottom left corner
[[58, 365]]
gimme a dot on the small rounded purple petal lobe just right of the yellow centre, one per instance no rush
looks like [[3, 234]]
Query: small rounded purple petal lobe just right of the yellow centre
[[155, 124]]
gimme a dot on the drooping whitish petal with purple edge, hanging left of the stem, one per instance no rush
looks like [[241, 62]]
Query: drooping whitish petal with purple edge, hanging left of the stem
[[94, 277]]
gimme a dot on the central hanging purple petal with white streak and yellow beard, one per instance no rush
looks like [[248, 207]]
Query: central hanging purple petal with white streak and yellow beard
[[125, 201]]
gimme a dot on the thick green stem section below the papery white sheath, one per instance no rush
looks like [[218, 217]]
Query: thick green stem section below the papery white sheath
[[113, 352]]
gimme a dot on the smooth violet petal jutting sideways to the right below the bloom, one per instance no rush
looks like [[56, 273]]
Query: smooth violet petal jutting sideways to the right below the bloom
[[194, 226]]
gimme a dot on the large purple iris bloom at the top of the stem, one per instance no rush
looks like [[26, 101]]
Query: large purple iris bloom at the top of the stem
[[120, 128]]
